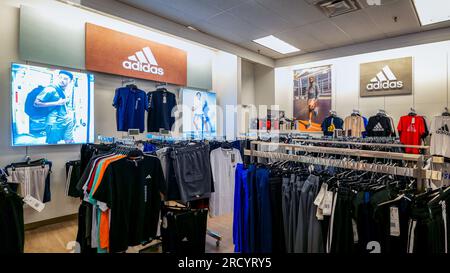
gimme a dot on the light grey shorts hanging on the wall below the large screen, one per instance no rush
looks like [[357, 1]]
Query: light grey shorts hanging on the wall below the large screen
[[31, 178]]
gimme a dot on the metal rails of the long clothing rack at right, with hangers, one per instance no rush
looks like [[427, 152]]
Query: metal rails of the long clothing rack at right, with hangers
[[417, 171]]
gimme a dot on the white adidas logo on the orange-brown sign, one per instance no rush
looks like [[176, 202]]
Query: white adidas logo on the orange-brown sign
[[143, 61]]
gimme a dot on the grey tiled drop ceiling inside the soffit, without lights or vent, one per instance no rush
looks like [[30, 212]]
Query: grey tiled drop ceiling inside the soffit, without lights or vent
[[297, 22]]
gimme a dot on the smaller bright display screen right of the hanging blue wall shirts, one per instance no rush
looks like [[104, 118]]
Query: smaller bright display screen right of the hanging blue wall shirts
[[199, 113]]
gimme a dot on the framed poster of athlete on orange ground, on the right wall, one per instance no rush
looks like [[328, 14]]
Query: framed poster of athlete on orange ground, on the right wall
[[312, 97]]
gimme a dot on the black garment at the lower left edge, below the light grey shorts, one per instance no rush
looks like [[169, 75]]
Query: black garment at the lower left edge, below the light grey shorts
[[12, 238]]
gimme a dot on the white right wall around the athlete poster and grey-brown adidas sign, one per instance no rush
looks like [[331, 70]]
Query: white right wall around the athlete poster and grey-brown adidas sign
[[430, 82]]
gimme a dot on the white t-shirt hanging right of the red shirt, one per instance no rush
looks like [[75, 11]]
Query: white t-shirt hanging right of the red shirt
[[440, 136]]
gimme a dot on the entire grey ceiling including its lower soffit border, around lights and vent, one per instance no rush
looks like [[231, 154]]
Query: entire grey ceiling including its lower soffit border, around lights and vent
[[232, 25]]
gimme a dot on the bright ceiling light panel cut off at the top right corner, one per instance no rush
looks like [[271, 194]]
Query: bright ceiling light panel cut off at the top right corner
[[432, 11]]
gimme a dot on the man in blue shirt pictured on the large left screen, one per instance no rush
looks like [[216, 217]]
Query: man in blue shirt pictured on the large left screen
[[59, 122]]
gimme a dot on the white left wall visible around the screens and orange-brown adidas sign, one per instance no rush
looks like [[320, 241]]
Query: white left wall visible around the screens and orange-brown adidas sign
[[225, 77]]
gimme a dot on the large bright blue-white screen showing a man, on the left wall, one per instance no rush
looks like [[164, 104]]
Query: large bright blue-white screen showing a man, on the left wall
[[51, 106]]
